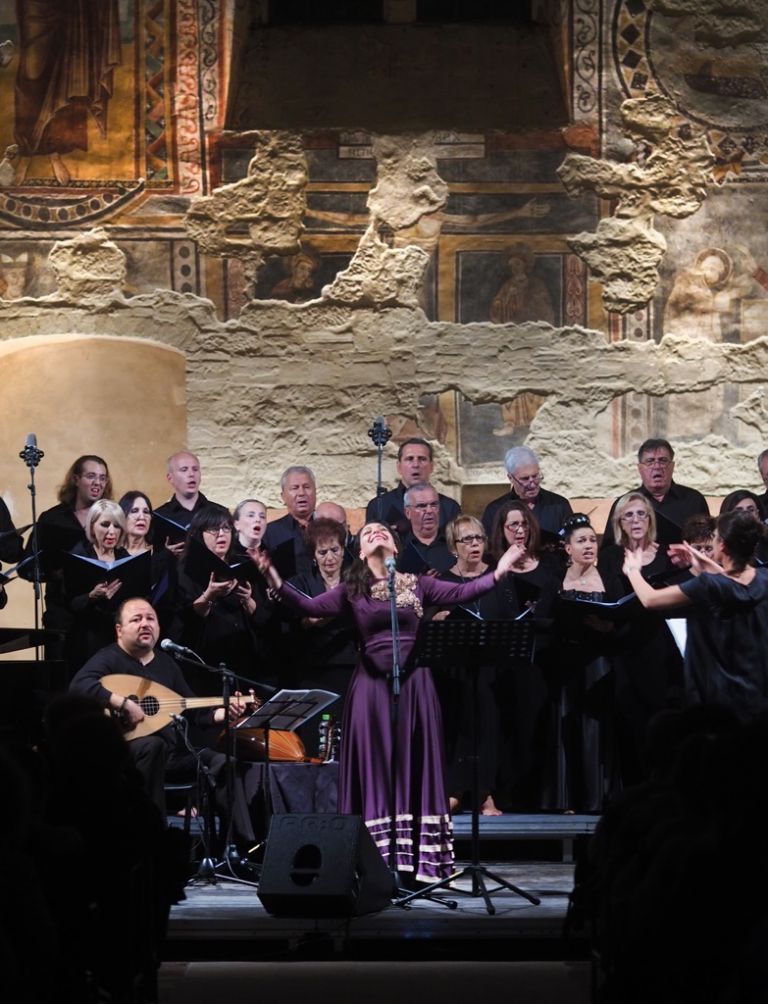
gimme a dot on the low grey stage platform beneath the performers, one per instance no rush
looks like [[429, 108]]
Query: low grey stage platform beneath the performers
[[226, 921]]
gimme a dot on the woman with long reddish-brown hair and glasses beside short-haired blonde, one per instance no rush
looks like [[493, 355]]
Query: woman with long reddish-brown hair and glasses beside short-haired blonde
[[529, 762]]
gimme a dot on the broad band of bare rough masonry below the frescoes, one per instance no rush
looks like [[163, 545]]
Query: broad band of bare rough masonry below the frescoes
[[300, 383]]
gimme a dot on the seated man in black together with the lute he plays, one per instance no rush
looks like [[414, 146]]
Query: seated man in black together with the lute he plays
[[162, 754]]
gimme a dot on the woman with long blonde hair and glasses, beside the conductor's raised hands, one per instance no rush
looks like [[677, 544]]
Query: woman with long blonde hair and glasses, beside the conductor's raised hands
[[649, 665]]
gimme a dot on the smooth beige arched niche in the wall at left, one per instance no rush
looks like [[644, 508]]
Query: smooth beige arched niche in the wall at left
[[121, 398]]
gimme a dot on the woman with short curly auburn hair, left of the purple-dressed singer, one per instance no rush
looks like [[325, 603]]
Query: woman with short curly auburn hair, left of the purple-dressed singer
[[322, 651]]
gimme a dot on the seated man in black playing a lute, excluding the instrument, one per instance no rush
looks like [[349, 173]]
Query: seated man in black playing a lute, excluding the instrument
[[161, 754]]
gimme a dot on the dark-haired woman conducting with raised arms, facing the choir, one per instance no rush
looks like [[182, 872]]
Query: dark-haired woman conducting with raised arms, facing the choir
[[726, 654]]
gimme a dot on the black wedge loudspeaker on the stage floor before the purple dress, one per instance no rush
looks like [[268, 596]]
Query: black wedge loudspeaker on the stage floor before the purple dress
[[321, 865]]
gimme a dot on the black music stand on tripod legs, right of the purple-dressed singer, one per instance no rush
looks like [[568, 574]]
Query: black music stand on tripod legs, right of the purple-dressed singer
[[472, 644]]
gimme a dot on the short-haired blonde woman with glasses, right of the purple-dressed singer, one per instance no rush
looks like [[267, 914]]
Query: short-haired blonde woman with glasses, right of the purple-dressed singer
[[466, 539]]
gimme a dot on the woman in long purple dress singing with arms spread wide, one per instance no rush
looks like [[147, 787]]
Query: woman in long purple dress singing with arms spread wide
[[370, 750]]
